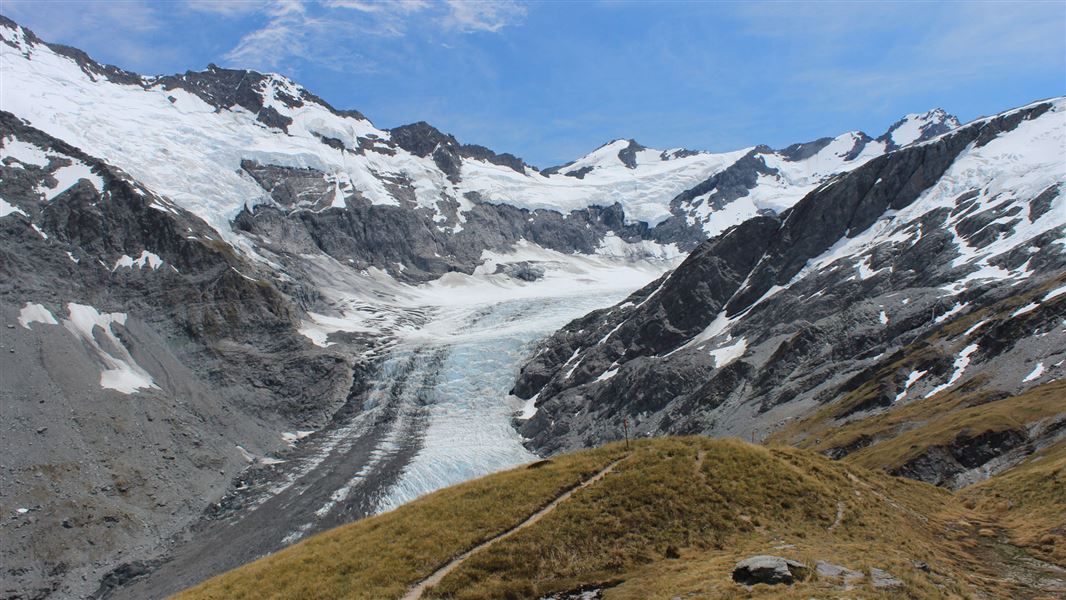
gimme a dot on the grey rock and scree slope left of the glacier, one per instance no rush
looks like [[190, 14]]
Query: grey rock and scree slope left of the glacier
[[149, 348]]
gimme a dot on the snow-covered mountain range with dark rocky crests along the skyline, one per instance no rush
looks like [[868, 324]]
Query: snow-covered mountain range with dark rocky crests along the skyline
[[223, 142]]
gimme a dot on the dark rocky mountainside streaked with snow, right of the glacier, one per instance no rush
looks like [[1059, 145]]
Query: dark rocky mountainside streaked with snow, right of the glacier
[[781, 315]]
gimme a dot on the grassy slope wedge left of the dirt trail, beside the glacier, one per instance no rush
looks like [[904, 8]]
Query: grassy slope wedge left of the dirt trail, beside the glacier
[[382, 557]]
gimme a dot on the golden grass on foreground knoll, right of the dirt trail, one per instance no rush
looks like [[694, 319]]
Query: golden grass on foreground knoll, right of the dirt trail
[[746, 500]]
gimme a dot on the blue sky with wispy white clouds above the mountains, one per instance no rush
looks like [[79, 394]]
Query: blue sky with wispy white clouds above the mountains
[[551, 82]]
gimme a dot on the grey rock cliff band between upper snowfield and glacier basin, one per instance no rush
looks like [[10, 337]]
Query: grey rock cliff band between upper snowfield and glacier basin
[[406, 241]]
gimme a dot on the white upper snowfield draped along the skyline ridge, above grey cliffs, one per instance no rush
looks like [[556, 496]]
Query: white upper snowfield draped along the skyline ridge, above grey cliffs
[[187, 151]]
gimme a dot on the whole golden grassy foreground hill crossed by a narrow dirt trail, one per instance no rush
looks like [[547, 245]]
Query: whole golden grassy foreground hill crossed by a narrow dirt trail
[[671, 520]]
